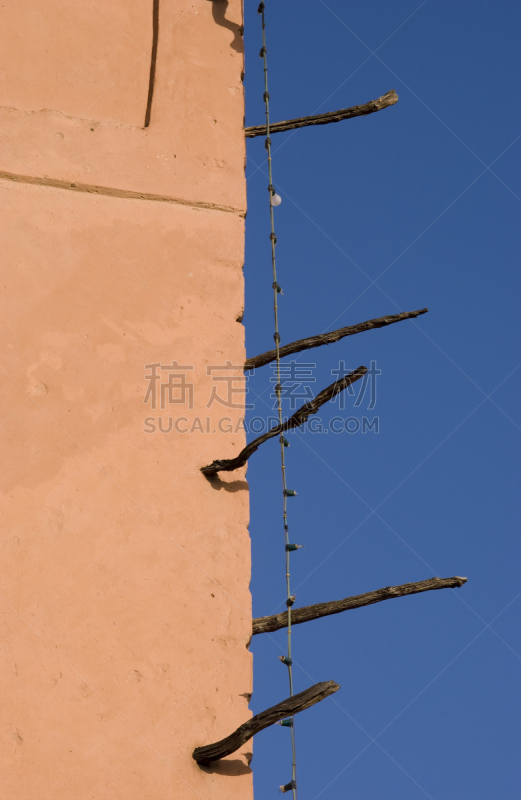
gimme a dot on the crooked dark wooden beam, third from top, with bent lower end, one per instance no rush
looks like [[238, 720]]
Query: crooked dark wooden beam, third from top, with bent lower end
[[299, 417]]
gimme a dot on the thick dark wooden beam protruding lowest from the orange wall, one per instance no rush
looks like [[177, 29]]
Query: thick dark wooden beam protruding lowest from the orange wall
[[287, 708]]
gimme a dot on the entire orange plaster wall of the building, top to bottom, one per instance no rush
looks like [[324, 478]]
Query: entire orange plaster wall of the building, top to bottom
[[125, 611]]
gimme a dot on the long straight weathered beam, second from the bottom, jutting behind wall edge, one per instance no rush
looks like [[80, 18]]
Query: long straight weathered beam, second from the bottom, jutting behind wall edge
[[307, 613]]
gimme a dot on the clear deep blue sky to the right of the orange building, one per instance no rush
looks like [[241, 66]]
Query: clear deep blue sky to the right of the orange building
[[417, 205]]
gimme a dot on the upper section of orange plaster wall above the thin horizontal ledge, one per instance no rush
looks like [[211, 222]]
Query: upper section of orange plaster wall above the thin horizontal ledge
[[193, 150]]
